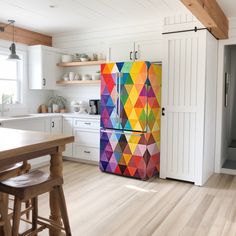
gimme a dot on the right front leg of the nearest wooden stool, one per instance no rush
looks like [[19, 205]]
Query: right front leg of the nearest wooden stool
[[64, 214]]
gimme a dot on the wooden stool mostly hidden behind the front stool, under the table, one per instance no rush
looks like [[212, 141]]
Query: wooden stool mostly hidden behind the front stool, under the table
[[5, 173]]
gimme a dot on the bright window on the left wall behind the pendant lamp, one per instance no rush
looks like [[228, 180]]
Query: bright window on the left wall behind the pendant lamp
[[10, 78]]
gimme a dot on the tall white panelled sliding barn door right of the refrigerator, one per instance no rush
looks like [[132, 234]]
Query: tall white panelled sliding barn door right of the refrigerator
[[183, 91]]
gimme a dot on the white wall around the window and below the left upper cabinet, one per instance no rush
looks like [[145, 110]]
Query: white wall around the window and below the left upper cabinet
[[31, 99]]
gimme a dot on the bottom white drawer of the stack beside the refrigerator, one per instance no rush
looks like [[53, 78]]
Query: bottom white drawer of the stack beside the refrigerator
[[86, 153]]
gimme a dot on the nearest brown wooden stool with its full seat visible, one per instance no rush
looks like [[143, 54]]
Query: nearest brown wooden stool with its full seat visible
[[30, 186]]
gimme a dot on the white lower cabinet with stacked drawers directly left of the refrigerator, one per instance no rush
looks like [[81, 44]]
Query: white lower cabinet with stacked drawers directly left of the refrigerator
[[87, 139]]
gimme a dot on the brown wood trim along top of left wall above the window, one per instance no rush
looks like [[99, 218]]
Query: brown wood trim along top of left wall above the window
[[25, 36]]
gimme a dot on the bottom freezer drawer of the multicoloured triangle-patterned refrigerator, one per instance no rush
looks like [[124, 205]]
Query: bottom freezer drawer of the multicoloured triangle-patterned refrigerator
[[133, 154]]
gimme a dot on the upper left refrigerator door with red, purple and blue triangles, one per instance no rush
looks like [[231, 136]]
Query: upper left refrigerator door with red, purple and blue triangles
[[110, 96]]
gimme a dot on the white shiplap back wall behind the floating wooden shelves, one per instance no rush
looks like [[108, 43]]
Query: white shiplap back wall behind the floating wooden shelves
[[98, 41]]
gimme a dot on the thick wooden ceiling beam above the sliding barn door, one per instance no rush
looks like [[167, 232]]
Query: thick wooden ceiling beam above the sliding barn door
[[210, 15]]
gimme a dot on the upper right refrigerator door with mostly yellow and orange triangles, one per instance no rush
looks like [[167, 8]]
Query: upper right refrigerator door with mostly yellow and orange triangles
[[133, 104]]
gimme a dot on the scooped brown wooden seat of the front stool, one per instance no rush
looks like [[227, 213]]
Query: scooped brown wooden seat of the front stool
[[30, 185]]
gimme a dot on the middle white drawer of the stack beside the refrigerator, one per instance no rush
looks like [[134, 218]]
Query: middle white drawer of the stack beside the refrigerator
[[87, 138]]
